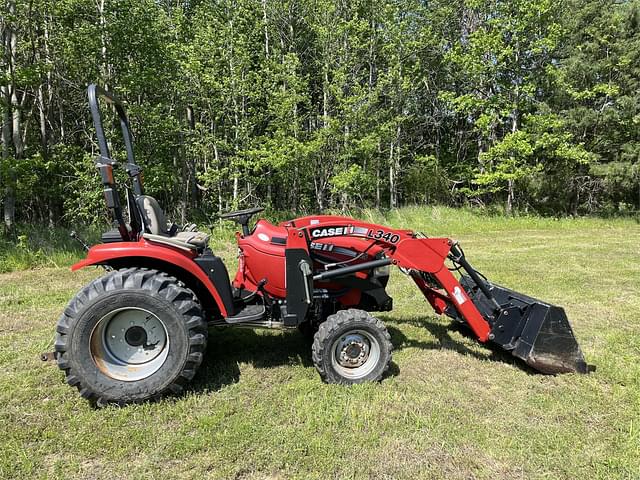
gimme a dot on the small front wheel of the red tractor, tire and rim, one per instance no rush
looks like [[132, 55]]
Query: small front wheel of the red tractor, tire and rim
[[351, 347]]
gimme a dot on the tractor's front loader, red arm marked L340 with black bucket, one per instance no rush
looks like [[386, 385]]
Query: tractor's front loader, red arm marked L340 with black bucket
[[532, 330]]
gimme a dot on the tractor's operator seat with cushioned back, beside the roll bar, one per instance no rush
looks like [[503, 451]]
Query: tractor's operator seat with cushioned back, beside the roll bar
[[156, 227]]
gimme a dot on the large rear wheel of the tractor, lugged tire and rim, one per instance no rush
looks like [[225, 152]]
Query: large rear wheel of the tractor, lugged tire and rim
[[130, 336]]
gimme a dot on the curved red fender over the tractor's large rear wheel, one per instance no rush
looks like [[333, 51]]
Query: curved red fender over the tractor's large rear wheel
[[102, 255]]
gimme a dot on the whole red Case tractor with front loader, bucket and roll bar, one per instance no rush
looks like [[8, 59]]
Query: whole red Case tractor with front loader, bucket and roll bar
[[140, 331]]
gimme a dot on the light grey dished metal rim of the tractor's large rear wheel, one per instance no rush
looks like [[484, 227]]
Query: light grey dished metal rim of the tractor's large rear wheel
[[129, 344]]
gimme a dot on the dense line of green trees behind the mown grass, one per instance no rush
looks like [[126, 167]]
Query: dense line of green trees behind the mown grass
[[306, 105]]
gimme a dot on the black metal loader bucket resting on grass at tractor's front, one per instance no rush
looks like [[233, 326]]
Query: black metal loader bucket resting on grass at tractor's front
[[532, 330]]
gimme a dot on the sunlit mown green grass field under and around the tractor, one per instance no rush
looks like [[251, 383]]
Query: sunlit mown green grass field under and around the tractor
[[451, 408]]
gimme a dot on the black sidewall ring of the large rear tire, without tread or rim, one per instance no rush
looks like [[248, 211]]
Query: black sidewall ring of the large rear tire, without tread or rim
[[110, 389]]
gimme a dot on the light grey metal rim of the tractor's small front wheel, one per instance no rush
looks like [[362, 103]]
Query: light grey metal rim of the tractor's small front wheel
[[355, 354]]
